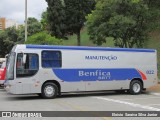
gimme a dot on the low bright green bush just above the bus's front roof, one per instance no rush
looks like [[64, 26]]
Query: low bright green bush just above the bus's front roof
[[43, 38]]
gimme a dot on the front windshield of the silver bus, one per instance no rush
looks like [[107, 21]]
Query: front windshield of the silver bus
[[10, 67]]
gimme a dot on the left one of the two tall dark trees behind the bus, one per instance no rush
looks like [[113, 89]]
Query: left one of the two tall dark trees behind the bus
[[56, 18]]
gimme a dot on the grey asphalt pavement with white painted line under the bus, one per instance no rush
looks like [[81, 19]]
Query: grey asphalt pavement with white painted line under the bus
[[106, 101]]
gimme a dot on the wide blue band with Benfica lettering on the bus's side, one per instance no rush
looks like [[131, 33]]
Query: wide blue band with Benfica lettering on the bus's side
[[76, 75]]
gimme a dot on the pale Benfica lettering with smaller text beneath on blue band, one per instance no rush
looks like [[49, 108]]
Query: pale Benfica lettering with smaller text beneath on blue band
[[98, 74]]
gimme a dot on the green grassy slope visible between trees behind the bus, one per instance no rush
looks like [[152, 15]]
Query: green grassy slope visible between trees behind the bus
[[153, 42]]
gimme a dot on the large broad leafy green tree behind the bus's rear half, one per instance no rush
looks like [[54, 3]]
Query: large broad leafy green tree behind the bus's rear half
[[124, 20]]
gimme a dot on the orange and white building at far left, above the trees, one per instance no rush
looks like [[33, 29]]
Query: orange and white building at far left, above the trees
[[6, 23]]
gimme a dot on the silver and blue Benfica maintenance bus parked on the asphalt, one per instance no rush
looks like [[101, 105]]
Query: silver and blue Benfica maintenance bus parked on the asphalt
[[51, 70]]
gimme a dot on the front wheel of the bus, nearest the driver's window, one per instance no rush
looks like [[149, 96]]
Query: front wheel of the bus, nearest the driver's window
[[49, 90]]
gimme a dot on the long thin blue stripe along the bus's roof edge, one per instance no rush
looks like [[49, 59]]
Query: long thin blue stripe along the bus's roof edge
[[88, 48]]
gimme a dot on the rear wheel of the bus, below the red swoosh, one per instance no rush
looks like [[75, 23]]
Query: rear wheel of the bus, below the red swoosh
[[135, 87]]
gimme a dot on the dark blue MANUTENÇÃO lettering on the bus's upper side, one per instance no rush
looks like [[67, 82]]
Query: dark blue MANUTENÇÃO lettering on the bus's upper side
[[111, 57]]
